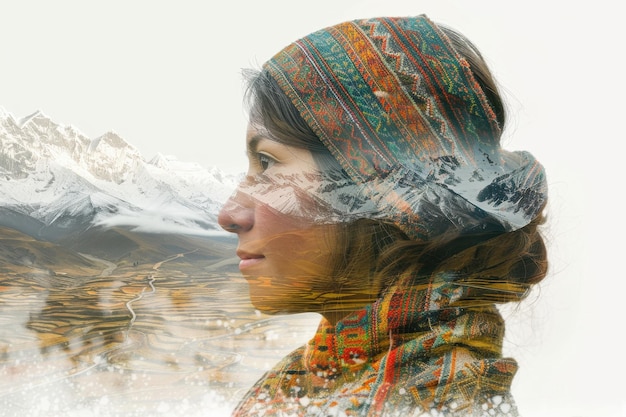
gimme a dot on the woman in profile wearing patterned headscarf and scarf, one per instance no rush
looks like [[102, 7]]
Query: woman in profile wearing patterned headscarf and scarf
[[378, 196]]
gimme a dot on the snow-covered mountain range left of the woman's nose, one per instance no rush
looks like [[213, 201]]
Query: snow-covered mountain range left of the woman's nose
[[55, 178]]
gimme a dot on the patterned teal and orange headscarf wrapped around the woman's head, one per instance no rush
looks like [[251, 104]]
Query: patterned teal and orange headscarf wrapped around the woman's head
[[401, 111]]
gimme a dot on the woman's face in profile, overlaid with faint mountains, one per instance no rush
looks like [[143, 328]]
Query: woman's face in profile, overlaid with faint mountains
[[286, 254]]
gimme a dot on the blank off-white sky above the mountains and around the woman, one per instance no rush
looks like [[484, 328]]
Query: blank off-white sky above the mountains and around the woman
[[166, 77]]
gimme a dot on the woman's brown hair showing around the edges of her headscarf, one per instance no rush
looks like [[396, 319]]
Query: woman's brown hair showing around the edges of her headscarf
[[500, 266]]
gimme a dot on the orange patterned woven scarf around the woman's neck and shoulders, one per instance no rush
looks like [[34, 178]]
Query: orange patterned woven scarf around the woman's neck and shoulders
[[415, 350]]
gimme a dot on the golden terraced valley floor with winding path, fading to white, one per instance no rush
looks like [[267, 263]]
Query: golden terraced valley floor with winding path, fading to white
[[171, 338]]
